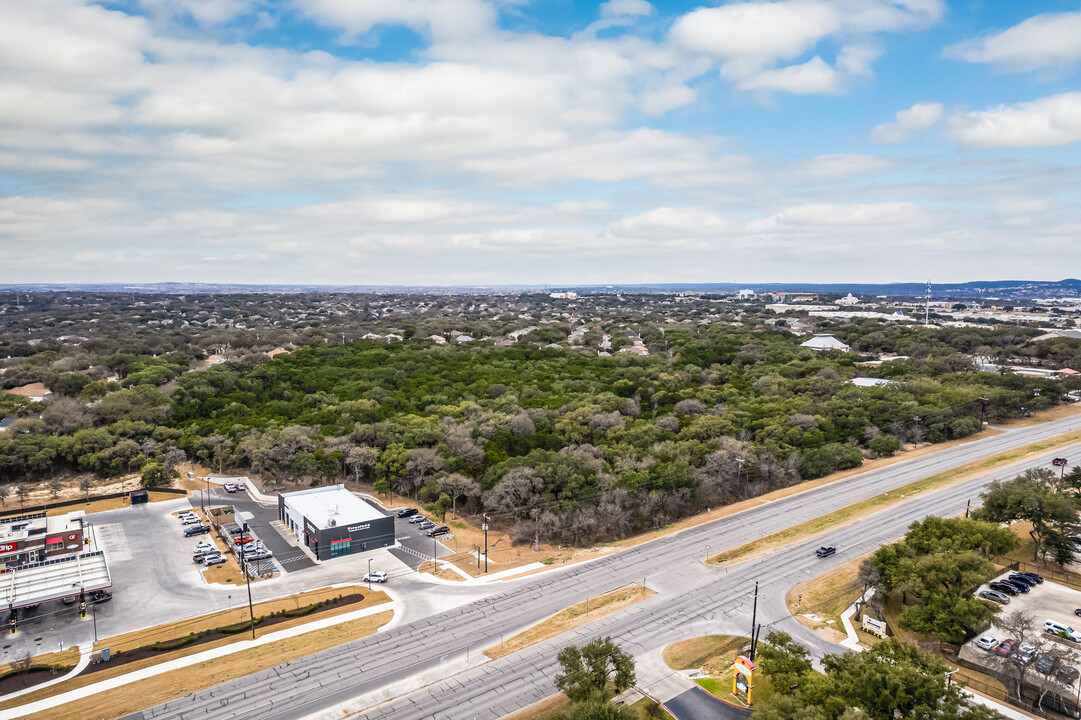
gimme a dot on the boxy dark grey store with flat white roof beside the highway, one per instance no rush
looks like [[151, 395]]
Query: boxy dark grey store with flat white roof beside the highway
[[333, 523]]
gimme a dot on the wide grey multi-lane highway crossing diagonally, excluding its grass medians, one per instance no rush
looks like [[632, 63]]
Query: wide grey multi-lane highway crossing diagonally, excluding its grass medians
[[431, 666]]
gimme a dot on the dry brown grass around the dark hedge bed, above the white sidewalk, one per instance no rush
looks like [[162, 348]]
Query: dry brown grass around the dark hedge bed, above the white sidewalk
[[143, 638]]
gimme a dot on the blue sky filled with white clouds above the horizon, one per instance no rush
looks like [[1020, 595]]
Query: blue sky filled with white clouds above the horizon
[[503, 142]]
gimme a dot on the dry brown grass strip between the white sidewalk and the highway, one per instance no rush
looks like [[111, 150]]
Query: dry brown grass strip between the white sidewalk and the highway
[[154, 691]]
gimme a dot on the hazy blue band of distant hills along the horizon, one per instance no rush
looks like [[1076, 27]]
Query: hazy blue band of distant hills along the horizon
[[1002, 289]]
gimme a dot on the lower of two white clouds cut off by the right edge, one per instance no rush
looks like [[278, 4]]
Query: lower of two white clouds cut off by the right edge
[[1047, 123]]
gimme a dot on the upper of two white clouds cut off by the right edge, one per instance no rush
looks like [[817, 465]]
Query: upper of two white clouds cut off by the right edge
[[1048, 41]]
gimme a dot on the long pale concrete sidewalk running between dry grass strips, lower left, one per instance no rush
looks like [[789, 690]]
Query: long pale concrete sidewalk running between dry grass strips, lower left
[[136, 676]]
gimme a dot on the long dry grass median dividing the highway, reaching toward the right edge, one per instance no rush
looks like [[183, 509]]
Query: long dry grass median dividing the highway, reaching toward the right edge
[[858, 510]]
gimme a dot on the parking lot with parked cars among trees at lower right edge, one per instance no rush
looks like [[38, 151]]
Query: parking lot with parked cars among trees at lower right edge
[[1047, 602]]
